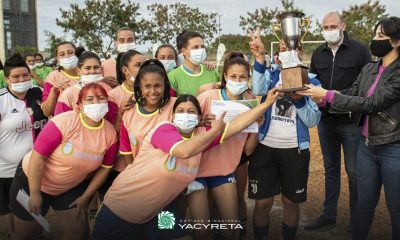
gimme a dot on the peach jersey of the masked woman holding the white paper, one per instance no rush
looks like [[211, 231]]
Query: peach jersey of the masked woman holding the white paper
[[223, 159]]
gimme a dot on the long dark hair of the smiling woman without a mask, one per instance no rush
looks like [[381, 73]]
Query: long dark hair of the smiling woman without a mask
[[152, 66]]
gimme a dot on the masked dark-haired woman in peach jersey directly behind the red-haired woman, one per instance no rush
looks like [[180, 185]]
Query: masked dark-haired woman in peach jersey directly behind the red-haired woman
[[89, 68]]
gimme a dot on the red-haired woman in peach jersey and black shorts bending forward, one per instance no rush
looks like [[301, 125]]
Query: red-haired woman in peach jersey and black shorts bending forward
[[72, 146]]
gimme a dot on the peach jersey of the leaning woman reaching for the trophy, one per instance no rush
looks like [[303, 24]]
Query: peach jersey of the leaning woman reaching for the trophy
[[155, 178]]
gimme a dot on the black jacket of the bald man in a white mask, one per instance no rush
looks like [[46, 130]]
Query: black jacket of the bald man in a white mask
[[340, 71]]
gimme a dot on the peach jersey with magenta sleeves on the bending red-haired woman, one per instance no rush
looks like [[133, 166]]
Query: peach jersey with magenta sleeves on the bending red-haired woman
[[74, 150]]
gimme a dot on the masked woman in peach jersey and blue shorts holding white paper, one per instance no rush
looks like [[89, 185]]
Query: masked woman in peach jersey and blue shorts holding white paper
[[218, 165]]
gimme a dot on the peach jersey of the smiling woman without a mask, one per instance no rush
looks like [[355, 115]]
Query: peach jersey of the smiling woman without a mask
[[134, 127]]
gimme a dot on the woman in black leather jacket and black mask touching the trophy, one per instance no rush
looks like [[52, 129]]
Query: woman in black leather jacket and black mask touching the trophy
[[375, 98]]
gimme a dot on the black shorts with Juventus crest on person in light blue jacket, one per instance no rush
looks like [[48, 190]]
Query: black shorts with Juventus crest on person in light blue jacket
[[273, 171]]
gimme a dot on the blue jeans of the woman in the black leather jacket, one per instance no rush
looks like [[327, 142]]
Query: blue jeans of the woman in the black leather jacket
[[377, 165]]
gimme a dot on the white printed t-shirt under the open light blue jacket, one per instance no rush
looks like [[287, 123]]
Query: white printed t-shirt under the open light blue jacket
[[282, 132]]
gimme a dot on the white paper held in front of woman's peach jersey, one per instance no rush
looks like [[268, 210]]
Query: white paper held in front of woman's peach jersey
[[233, 109]]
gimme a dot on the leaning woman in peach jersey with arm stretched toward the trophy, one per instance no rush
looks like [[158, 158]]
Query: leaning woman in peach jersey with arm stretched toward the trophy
[[167, 162]]
